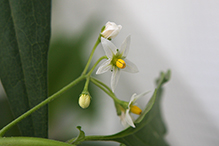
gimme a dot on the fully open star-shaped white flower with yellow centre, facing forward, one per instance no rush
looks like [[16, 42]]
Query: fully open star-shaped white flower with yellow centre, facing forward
[[116, 60]]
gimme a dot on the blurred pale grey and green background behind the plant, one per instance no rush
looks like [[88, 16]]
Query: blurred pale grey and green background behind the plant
[[180, 35]]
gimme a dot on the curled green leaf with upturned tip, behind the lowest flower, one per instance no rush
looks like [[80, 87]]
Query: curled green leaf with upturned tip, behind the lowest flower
[[150, 128]]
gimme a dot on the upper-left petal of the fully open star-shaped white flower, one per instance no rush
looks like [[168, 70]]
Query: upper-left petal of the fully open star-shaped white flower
[[108, 47]]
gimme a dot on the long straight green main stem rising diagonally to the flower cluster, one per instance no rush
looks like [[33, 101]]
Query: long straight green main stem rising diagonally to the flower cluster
[[49, 99]]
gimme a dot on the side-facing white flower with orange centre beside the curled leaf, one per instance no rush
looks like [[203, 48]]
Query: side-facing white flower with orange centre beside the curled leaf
[[126, 118]]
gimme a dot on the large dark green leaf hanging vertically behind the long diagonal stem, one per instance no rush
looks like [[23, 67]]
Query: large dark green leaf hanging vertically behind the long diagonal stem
[[24, 43]]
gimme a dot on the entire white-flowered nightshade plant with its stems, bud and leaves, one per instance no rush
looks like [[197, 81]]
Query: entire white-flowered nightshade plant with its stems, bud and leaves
[[24, 43]]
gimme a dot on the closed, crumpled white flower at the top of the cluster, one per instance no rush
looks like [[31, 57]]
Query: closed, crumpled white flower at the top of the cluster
[[111, 30]]
